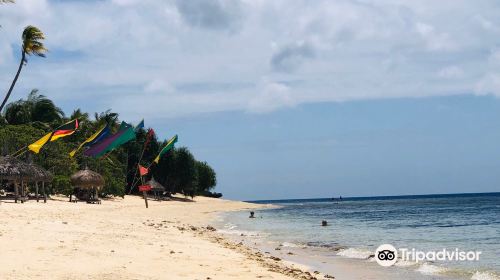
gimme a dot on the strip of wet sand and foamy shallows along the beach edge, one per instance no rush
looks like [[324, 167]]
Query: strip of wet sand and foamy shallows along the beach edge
[[341, 261]]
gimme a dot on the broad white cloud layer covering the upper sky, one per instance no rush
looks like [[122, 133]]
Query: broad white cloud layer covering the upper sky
[[186, 58]]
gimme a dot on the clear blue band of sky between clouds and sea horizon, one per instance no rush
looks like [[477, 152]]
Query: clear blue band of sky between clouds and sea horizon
[[362, 148]]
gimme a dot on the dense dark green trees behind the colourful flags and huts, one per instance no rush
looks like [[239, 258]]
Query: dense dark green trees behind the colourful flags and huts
[[26, 120]]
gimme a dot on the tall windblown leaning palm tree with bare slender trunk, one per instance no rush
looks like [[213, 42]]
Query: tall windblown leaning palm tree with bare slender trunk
[[32, 45]]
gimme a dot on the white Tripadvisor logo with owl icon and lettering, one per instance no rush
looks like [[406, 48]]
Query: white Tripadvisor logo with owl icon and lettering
[[387, 255]]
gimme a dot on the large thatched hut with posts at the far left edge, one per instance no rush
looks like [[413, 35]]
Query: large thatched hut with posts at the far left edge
[[20, 174]]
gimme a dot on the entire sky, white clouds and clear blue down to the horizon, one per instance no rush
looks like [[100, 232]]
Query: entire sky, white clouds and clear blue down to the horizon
[[285, 99]]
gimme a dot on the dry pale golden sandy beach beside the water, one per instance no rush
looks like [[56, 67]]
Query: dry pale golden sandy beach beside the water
[[121, 239]]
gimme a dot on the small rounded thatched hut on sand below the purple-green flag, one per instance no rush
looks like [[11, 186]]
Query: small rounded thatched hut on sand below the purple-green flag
[[86, 185]]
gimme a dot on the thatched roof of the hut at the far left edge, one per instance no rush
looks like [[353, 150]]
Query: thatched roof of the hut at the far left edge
[[13, 169]]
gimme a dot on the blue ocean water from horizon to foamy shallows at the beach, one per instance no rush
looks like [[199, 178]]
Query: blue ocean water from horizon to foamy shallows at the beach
[[357, 226]]
